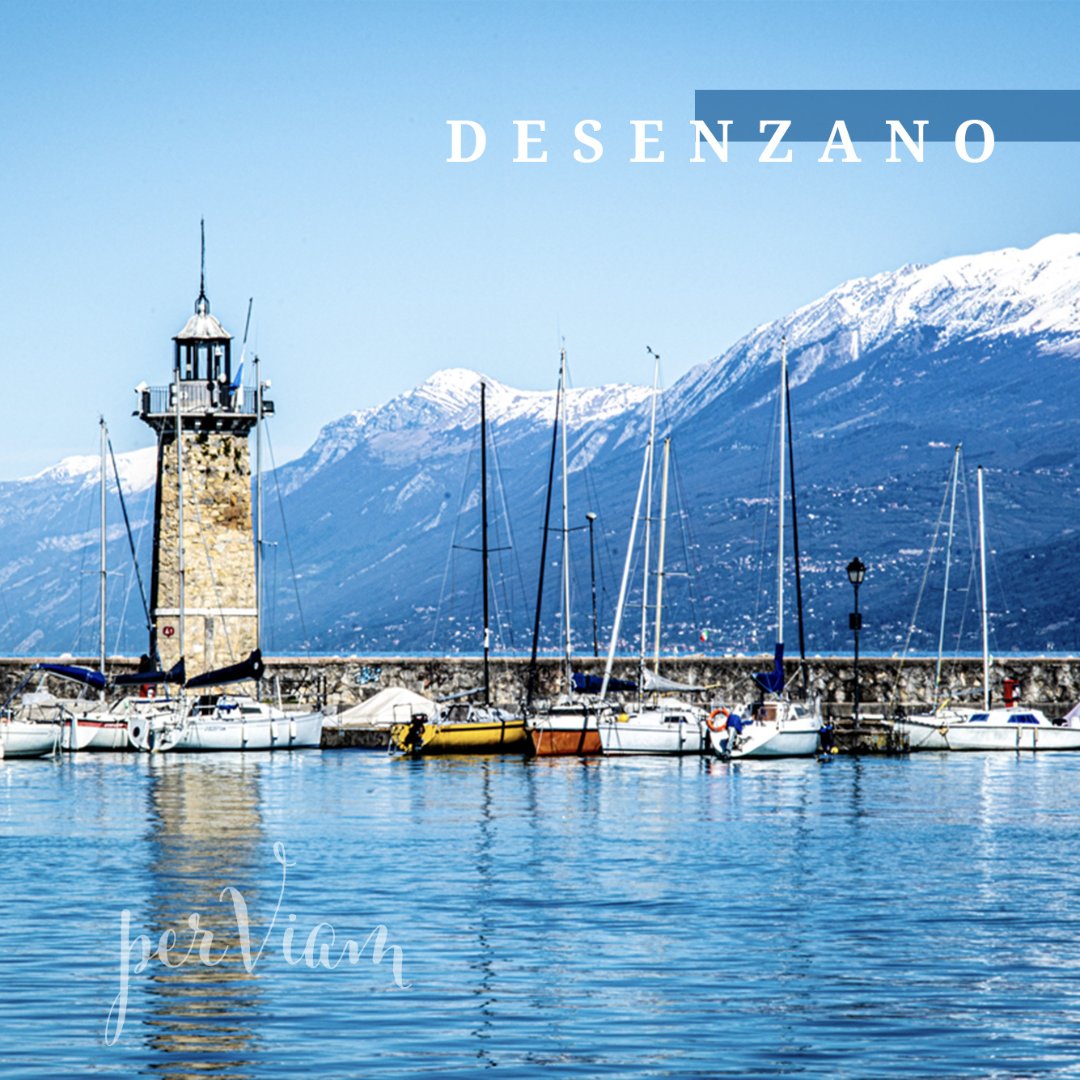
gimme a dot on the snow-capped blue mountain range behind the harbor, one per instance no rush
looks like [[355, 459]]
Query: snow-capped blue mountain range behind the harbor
[[888, 373]]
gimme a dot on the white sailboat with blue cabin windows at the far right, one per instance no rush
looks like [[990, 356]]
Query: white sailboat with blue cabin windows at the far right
[[1009, 727]]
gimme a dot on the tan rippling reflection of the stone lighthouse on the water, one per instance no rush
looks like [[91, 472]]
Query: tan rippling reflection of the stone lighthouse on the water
[[206, 835]]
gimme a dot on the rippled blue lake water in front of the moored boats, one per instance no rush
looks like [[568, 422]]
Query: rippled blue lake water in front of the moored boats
[[880, 917]]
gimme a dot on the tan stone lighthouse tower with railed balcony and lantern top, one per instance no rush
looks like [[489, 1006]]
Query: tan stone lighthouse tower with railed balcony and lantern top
[[204, 591]]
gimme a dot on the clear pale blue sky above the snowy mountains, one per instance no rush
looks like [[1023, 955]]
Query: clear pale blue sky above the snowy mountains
[[313, 138]]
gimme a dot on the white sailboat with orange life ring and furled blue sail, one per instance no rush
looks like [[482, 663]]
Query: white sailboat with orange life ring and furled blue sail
[[775, 725]]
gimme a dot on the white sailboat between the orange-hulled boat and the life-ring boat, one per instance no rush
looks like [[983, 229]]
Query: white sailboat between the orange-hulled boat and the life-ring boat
[[661, 725]]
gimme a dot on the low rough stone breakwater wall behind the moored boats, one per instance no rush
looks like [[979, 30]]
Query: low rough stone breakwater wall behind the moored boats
[[337, 683]]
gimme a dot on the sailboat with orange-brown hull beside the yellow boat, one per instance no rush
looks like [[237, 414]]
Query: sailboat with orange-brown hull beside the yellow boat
[[569, 726]]
